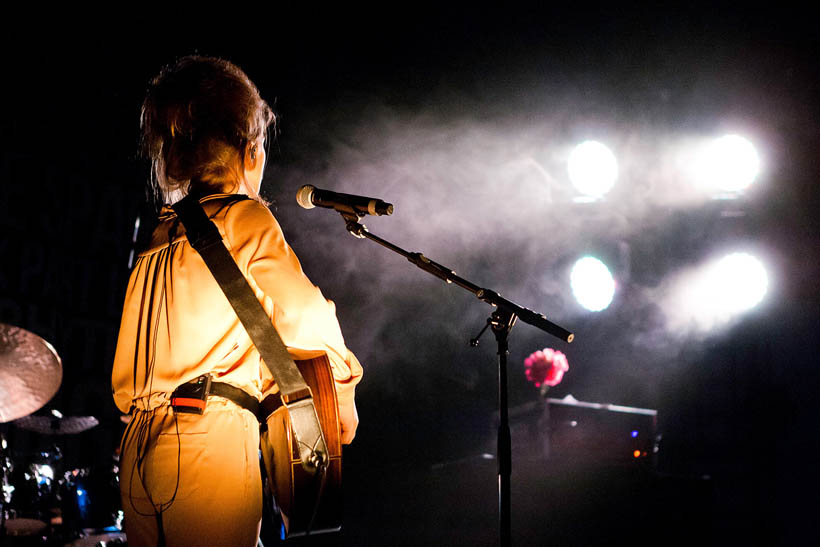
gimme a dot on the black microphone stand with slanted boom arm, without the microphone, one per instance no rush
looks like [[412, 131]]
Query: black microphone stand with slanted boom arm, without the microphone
[[501, 321]]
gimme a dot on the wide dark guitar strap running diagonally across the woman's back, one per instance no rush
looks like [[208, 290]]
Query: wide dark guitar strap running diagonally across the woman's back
[[204, 237]]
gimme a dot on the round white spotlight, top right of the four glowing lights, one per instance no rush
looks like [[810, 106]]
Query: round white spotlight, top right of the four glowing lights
[[730, 164]]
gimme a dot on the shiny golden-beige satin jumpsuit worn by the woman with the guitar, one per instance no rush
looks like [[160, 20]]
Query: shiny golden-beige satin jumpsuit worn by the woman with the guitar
[[197, 477]]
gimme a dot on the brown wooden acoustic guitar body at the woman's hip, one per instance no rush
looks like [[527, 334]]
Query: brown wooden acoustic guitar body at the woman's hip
[[309, 503]]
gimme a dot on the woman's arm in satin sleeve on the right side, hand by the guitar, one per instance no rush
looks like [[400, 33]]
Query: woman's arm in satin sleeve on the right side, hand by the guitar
[[304, 318]]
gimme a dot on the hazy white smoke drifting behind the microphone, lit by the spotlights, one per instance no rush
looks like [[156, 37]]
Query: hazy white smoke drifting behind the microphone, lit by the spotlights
[[484, 190]]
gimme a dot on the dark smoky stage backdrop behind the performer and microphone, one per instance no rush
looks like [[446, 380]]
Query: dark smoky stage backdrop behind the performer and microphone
[[429, 108]]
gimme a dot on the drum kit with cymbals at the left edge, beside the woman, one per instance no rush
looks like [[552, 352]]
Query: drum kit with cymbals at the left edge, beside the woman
[[44, 501]]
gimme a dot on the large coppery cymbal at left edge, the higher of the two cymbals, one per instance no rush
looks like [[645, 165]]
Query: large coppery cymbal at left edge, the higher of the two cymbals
[[30, 372]]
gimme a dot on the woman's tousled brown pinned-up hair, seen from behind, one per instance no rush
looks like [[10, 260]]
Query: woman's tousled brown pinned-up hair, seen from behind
[[197, 118]]
